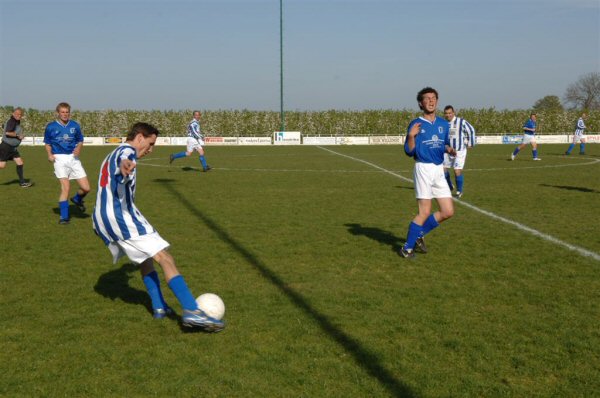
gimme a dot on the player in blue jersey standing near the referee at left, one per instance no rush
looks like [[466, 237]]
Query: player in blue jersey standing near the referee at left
[[63, 139]]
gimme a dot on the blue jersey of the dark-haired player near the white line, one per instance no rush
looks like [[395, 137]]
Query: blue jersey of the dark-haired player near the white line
[[430, 142]]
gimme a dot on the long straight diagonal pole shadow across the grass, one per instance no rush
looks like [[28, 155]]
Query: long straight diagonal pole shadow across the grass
[[362, 357]]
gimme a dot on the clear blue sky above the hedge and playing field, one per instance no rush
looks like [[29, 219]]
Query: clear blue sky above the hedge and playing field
[[369, 54]]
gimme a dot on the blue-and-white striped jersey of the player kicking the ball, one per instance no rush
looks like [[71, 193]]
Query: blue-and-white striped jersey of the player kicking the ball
[[115, 215]]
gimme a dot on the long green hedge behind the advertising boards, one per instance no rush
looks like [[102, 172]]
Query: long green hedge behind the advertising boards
[[332, 122]]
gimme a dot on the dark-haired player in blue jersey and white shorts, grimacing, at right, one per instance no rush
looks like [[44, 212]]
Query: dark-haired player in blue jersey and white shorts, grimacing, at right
[[426, 141]]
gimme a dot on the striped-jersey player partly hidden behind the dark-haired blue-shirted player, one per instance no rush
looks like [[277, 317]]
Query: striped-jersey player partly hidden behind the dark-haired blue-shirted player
[[462, 137]]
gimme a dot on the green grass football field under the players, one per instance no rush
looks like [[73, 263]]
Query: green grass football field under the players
[[301, 242]]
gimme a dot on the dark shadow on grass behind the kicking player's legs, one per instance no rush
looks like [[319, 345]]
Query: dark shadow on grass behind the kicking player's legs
[[115, 285]]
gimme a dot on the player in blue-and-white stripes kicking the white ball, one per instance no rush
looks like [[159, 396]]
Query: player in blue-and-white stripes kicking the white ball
[[125, 231]]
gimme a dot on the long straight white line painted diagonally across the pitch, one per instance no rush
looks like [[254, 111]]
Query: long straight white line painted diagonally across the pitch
[[577, 249]]
